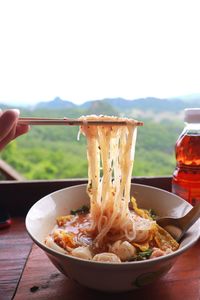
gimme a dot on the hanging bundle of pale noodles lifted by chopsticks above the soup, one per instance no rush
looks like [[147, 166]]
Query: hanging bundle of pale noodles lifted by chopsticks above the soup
[[110, 152]]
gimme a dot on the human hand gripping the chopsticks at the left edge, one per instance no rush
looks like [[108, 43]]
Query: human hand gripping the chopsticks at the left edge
[[9, 129]]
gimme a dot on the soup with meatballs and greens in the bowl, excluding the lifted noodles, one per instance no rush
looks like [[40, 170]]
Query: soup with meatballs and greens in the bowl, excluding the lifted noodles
[[73, 236]]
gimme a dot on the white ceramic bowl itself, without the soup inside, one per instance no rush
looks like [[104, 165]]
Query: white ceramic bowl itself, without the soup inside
[[110, 277]]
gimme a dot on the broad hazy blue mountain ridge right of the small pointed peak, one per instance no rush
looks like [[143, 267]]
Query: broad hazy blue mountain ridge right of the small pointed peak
[[144, 108]]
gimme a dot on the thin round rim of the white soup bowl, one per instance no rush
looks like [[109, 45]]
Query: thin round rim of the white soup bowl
[[114, 264]]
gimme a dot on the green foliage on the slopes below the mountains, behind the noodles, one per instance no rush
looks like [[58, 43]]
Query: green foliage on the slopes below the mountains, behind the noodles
[[54, 152]]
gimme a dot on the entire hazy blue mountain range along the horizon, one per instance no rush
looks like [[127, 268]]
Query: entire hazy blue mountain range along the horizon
[[149, 107]]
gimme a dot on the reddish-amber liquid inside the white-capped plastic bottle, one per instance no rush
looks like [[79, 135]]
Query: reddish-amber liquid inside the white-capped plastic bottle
[[186, 177]]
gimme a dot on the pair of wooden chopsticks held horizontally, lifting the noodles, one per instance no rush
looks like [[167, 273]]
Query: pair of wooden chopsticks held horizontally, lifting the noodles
[[74, 122]]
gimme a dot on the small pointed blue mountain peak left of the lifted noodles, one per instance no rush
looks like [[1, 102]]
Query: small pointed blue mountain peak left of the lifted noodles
[[57, 103]]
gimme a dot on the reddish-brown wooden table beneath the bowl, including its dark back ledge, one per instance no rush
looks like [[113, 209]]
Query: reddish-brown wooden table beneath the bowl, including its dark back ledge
[[26, 272]]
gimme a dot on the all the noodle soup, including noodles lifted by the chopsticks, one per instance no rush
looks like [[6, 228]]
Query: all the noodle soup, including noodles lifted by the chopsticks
[[112, 228]]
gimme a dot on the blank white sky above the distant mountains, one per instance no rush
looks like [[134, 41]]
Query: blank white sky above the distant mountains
[[83, 50]]
